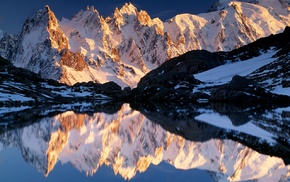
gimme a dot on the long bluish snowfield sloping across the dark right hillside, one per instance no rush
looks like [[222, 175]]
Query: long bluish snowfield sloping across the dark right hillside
[[267, 70]]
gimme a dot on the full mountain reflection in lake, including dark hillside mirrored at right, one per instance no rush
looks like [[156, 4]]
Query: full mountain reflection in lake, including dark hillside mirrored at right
[[239, 145]]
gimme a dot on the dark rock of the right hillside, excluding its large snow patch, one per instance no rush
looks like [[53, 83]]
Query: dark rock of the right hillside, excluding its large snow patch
[[174, 81]]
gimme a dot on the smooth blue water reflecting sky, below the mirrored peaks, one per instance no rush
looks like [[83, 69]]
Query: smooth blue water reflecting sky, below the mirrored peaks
[[11, 161]]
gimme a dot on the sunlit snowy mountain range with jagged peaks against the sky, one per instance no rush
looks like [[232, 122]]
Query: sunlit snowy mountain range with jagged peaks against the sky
[[126, 45]]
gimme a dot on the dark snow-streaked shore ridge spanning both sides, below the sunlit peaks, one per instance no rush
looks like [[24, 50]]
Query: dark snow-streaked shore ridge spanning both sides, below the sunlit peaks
[[257, 72]]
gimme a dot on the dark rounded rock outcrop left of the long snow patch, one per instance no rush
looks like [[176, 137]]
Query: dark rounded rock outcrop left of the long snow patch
[[173, 81]]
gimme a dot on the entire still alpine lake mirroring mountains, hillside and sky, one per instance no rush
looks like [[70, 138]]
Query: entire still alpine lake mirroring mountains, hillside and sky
[[149, 142]]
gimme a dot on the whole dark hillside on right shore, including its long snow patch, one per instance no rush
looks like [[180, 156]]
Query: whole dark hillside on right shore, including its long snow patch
[[253, 75]]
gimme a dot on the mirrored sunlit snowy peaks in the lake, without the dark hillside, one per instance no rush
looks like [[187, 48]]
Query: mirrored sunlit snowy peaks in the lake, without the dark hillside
[[129, 143]]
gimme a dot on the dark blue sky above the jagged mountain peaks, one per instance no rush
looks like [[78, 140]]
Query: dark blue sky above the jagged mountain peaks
[[13, 13]]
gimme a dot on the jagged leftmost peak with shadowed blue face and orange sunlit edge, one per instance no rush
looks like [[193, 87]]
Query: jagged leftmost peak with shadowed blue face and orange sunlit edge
[[41, 47]]
